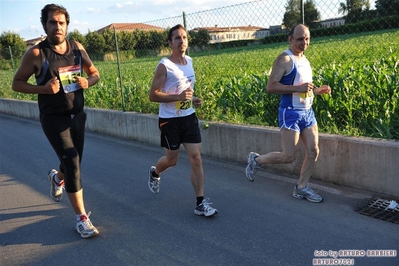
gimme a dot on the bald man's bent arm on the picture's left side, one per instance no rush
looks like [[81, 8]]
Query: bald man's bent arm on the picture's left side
[[281, 66]]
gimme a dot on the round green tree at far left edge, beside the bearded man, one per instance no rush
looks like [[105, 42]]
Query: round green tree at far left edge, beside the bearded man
[[13, 40]]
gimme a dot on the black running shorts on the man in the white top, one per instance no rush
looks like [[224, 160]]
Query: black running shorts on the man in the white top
[[178, 130]]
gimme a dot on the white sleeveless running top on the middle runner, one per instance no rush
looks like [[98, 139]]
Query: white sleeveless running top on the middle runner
[[178, 78]]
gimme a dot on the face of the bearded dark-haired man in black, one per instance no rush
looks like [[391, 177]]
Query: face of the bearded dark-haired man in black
[[56, 28]]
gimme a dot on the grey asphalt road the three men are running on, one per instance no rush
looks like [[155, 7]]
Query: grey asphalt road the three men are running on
[[259, 223]]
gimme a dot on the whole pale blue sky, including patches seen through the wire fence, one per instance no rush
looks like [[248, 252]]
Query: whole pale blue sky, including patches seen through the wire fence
[[23, 16]]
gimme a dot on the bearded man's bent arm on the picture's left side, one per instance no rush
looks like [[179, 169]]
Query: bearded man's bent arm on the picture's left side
[[31, 62]]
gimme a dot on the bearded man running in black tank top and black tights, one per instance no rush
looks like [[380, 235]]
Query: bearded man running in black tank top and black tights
[[58, 65]]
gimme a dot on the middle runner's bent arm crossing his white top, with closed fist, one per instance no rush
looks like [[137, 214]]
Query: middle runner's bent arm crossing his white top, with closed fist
[[156, 95]]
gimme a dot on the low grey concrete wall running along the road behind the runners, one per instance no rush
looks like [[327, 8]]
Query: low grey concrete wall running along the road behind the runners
[[363, 163]]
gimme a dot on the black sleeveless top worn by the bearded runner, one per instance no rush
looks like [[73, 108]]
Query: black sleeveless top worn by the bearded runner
[[61, 102]]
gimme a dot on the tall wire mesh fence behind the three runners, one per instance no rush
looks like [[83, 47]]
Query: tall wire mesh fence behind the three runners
[[354, 49]]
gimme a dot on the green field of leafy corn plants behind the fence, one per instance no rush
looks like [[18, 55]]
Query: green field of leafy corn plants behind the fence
[[361, 69]]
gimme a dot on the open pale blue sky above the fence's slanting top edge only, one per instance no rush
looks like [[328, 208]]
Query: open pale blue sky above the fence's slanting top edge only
[[23, 16]]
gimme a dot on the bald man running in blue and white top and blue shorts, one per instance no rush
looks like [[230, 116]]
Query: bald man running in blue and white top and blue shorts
[[291, 77]]
